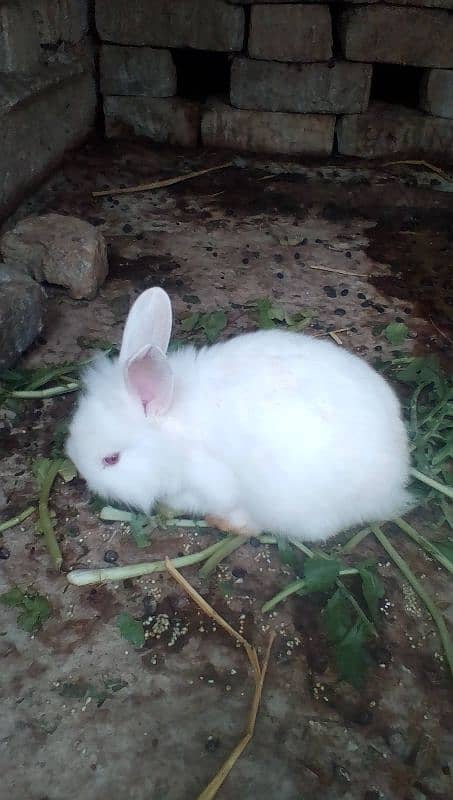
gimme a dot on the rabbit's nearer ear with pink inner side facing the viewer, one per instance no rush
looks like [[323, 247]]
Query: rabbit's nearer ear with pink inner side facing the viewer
[[149, 377]]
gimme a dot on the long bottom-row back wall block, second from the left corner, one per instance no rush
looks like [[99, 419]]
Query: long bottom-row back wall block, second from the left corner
[[266, 132]]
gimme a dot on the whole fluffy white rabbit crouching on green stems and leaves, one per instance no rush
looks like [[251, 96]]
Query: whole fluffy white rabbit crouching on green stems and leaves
[[269, 431]]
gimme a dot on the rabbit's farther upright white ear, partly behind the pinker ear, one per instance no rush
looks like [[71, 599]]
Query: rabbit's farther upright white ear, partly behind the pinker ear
[[148, 323]]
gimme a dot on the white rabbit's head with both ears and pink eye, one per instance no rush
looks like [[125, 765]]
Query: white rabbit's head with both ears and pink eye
[[114, 438]]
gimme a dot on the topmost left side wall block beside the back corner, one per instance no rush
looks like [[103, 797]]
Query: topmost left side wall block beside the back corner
[[61, 20]]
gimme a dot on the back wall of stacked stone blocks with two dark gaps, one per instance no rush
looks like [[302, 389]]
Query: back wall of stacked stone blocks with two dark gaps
[[303, 77]]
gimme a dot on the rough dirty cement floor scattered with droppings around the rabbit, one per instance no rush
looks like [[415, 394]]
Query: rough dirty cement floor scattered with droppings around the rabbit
[[222, 241]]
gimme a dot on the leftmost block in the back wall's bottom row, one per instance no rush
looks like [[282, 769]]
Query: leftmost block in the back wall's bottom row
[[166, 120]]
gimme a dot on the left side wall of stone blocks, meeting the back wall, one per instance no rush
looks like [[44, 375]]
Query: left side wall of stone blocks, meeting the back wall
[[47, 89]]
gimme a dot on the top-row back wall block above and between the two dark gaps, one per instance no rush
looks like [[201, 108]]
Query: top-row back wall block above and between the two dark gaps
[[290, 33]]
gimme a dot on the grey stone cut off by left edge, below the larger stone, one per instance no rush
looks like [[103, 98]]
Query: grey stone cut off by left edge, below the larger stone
[[21, 313]]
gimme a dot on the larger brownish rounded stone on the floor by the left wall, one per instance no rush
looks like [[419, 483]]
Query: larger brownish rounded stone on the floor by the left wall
[[63, 250]]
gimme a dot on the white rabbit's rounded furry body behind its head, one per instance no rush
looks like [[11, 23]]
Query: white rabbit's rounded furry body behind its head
[[313, 432]]
